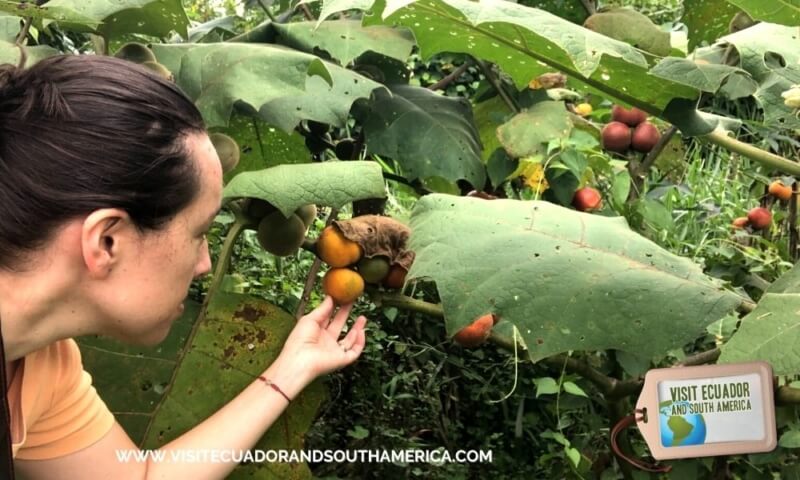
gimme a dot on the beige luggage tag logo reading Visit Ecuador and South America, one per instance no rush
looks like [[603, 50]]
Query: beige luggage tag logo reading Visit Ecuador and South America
[[708, 410]]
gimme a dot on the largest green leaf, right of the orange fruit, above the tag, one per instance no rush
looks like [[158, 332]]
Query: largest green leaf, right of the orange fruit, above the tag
[[567, 280]]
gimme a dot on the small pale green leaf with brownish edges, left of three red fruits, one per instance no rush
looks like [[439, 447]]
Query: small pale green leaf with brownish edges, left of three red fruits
[[528, 132]]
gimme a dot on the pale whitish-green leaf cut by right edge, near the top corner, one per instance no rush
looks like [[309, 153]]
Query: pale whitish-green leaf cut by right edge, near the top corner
[[771, 54]]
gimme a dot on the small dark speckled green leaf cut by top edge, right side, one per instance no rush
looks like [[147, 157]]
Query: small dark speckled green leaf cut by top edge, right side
[[707, 20]]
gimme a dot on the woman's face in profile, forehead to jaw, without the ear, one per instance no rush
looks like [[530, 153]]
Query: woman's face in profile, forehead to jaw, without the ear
[[154, 276]]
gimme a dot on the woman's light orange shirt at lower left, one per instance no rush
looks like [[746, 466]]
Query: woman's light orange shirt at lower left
[[55, 410]]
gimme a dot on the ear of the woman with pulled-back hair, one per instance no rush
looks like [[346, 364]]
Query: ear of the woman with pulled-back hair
[[104, 234]]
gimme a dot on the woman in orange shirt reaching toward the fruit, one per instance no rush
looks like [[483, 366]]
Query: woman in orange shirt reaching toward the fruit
[[108, 183]]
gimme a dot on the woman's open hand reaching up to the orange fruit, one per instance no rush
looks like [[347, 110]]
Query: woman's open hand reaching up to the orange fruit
[[314, 343]]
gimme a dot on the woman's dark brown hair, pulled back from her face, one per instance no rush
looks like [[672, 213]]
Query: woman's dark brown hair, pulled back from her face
[[84, 132]]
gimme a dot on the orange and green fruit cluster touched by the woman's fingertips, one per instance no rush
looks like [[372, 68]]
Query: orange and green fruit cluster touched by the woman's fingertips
[[350, 271]]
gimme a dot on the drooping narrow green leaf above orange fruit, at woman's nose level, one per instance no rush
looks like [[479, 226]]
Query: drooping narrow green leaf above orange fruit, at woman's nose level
[[289, 187]]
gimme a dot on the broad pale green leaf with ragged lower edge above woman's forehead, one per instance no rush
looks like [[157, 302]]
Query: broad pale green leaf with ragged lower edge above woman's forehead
[[283, 85]]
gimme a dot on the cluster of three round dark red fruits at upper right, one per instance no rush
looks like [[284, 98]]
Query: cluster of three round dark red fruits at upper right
[[629, 128]]
